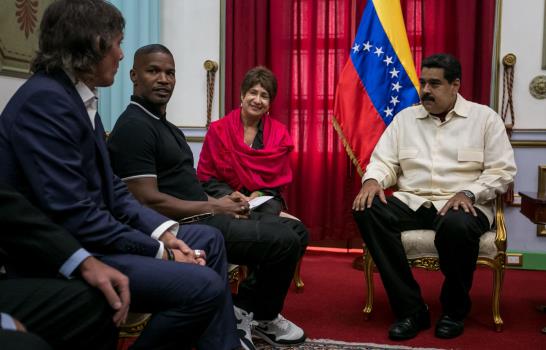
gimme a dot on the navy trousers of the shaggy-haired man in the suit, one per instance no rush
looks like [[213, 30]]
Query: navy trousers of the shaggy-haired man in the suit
[[190, 304]]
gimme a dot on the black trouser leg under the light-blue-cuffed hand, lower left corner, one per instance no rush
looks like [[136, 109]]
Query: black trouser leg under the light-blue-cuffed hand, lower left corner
[[67, 314]]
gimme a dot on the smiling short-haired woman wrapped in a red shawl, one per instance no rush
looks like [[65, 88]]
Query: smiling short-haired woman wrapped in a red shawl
[[246, 153]]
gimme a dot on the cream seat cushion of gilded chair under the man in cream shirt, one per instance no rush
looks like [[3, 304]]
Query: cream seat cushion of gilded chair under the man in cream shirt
[[420, 244]]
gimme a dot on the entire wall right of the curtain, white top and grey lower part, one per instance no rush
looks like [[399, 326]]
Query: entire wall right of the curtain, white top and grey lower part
[[522, 34]]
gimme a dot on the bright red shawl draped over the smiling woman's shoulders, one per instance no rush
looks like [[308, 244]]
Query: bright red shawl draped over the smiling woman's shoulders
[[227, 158]]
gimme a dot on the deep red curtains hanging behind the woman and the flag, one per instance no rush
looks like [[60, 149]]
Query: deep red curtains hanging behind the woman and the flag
[[306, 44]]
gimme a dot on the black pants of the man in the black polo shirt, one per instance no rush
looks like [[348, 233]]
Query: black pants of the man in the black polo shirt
[[271, 247]]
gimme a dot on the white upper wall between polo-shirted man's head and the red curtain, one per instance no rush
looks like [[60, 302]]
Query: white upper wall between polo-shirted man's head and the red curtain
[[191, 30]]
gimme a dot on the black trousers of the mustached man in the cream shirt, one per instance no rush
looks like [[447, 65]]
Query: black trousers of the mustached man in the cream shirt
[[457, 241]]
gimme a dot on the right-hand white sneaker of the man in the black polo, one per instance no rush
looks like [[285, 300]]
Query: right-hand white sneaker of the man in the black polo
[[279, 332]]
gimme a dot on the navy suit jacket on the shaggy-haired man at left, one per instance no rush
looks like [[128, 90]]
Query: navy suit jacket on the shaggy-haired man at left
[[52, 155]]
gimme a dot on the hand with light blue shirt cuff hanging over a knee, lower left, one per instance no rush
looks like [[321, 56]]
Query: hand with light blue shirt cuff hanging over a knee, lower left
[[112, 283]]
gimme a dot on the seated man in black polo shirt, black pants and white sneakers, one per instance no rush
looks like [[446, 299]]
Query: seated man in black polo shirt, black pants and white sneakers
[[152, 156]]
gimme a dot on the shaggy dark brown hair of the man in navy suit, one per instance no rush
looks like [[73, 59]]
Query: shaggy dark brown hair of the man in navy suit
[[76, 35]]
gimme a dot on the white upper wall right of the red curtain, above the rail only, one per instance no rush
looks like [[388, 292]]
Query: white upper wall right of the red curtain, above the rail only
[[521, 34]]
